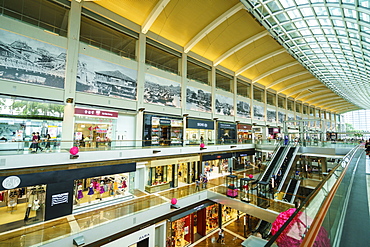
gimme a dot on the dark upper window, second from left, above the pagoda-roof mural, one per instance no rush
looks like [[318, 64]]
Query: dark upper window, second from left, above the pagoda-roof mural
[[118, 40]]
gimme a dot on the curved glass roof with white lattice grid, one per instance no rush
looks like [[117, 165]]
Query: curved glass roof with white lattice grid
[[331, 38]]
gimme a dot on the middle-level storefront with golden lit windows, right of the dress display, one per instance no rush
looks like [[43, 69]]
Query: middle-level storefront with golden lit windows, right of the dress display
[[170, 173]]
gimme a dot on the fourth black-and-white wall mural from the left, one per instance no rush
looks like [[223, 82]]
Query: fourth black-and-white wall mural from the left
[[198, 99]]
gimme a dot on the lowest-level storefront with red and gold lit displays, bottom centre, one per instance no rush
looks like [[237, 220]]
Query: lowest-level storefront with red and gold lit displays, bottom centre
[[189, 226]]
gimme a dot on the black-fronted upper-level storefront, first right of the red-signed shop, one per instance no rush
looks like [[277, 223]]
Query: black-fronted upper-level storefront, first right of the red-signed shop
[[162, 130]]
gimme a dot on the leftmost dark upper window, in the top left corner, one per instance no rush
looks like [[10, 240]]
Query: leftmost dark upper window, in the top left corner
[[47, 15]]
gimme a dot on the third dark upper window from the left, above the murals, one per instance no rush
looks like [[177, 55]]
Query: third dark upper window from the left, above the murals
[[162, 57]]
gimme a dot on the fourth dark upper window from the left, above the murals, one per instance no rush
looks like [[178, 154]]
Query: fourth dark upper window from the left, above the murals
[[198, 71]]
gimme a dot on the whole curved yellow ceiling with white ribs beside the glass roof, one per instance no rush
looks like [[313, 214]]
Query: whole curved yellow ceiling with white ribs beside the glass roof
[[225, 33]]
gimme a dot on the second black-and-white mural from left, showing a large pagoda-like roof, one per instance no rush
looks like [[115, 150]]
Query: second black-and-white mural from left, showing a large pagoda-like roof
[[104, 78]]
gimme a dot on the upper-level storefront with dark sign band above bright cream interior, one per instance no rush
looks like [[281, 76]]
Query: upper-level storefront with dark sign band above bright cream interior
[[199, 131]]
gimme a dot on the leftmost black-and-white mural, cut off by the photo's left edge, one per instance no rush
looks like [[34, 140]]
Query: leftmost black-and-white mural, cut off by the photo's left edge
[[31, 61]]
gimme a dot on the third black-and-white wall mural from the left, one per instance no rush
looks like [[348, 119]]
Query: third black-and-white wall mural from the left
[[162, 91]]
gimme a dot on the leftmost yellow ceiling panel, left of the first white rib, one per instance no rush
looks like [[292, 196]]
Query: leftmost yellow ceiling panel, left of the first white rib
[[135, 11]]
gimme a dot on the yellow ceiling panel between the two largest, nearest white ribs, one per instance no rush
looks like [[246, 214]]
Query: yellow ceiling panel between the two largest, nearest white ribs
[[181, 20]]
